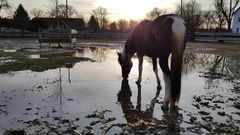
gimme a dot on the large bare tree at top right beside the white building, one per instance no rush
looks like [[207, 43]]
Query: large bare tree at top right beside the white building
[[227, 8]]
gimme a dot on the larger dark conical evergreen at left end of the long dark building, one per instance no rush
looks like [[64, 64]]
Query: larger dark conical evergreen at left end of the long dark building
[[21, 19]]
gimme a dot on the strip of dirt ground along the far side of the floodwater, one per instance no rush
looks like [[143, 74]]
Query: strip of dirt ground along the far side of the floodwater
[[226, 49]]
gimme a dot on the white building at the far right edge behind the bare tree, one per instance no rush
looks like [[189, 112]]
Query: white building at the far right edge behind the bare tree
[[236, 21]]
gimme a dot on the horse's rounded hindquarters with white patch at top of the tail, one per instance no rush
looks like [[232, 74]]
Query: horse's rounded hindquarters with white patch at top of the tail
[[168, 29]]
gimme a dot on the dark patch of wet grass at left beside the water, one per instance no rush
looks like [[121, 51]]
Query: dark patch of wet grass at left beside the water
[[20, 61]]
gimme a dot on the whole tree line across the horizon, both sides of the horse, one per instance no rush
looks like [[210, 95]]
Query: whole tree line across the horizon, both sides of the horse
[[218, 18]]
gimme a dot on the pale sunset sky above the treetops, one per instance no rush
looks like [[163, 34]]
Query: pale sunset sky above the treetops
[[118, 9]]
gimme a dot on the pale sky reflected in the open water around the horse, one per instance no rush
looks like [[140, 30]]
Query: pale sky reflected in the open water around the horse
[[94, 86]]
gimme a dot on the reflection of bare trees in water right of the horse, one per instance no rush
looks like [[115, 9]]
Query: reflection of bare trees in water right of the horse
[[211, 66]]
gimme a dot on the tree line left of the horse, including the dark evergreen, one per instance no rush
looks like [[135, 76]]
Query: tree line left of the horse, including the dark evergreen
[[98, 21]]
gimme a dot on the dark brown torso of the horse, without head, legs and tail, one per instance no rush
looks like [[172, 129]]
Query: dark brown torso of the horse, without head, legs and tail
[[154, 38]]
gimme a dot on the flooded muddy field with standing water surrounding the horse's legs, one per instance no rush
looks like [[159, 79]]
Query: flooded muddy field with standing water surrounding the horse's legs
[[81, 91]]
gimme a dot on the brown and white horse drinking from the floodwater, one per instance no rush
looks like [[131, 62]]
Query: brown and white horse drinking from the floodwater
[[158, 39]]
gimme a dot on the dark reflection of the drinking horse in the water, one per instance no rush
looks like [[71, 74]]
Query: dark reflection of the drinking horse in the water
[[168, 125]]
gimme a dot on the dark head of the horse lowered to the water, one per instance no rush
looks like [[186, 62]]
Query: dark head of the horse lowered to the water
[[126, 64]]
